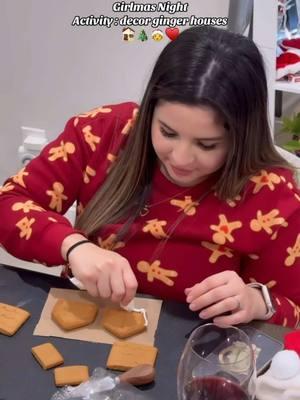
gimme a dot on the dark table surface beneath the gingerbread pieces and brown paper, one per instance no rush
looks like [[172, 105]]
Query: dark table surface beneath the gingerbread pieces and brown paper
[[21, 377]]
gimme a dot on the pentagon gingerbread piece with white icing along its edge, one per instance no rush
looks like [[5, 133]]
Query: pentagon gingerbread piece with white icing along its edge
[[122, 323]]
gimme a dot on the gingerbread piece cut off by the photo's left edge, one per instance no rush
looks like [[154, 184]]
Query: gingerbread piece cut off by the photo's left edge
[[11, 318]]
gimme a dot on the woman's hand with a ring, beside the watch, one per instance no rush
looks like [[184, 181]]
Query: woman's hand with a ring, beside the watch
[[223, 293]]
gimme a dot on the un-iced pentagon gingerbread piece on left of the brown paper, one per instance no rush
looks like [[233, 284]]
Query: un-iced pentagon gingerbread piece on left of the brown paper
[[73, 314]]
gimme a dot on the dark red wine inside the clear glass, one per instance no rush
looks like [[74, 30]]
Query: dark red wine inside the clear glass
[[214, 388]]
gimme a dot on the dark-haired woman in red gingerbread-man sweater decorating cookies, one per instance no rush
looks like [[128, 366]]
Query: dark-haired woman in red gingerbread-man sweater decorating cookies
[[183, 198]]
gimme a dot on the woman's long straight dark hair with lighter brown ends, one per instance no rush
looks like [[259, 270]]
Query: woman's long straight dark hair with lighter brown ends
[[203, 66]]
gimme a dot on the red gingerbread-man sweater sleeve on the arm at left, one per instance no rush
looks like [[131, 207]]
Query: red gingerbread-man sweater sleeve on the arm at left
[[32, 202]]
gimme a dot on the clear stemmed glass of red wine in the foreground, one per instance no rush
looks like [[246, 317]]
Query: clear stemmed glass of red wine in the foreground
[[217, 364]]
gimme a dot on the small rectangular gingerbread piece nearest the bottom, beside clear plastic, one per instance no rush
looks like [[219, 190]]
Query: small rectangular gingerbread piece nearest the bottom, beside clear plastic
[[72, 375]]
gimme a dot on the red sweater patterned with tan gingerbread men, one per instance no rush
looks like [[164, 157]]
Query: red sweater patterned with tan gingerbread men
[[256, 235]]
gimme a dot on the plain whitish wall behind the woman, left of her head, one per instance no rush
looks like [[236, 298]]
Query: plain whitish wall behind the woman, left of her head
[[50, 70]]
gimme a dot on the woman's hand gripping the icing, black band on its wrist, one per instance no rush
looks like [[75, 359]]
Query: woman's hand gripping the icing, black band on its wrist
[[103, 273]]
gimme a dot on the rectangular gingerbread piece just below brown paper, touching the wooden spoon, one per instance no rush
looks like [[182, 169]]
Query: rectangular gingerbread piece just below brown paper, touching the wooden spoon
[[126, 355]]
